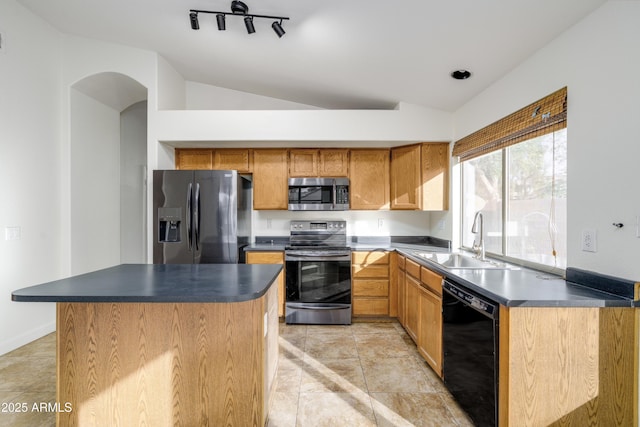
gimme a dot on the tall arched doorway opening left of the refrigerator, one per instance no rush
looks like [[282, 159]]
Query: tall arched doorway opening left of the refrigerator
[[108, 159]]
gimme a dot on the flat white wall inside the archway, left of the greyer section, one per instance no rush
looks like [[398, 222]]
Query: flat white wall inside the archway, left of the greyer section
[[95, 184]]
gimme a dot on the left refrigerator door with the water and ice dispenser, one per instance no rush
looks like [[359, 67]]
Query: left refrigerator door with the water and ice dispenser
[[172, 223]]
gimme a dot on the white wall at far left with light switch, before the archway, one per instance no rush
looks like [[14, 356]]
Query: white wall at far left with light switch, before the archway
[[30, 183]]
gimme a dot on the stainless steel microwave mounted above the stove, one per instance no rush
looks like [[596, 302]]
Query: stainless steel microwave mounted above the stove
[[318, 194]]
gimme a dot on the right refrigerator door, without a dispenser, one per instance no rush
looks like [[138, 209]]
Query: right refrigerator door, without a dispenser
[[215, 217]]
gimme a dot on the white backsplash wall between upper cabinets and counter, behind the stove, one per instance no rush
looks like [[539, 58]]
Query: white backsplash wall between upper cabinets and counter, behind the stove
[[359, 223]]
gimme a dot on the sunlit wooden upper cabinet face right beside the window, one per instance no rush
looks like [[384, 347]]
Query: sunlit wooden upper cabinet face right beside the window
[[435, 176]]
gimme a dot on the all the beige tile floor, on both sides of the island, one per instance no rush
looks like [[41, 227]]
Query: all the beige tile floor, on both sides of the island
[[365, 374]]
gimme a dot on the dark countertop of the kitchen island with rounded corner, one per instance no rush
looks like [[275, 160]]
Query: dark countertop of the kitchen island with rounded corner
[[159, 283]]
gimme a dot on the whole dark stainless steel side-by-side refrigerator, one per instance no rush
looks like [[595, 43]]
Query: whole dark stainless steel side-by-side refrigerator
[[200, 216]]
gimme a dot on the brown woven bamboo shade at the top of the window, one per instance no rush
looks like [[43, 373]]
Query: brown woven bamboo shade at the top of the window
[[539, 118]]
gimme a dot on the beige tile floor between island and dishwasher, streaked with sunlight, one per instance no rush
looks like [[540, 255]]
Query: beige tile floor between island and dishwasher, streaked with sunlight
[[365, 374]]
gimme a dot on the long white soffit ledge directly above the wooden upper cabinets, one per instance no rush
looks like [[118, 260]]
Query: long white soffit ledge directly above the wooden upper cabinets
[[408, 123]]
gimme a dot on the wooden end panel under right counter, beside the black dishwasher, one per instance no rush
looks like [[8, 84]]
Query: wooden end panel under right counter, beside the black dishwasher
[[568, 366]]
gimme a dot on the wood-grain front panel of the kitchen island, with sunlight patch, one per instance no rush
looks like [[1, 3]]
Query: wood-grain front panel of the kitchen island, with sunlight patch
[[162, 364]]
